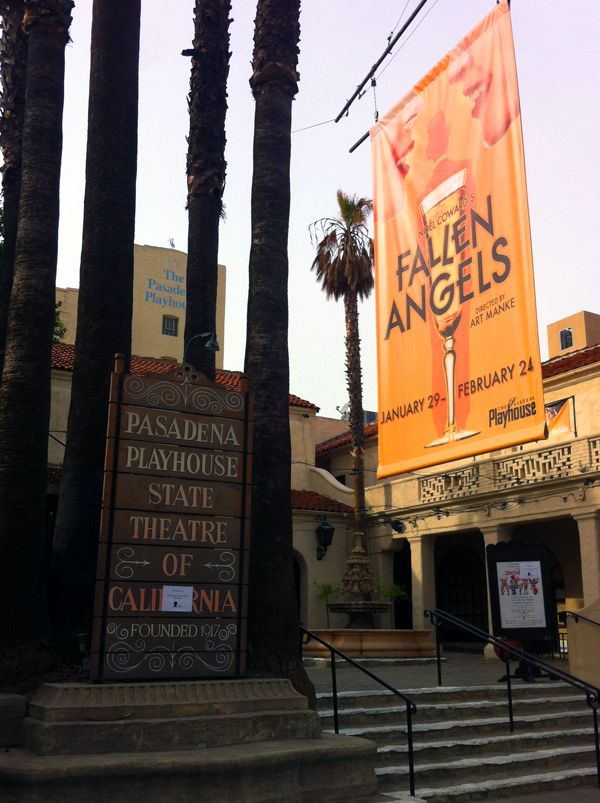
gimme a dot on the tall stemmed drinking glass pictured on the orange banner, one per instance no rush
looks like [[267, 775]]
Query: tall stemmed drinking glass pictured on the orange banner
[[442, 206]]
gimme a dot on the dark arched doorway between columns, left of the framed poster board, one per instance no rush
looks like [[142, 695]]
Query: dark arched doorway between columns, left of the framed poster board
[[462, 592]]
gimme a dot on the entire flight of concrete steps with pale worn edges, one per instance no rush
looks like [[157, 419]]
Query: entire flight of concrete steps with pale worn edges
[[463, 748]]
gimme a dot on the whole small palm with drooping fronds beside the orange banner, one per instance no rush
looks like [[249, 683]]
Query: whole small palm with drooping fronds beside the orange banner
[[344, 266]]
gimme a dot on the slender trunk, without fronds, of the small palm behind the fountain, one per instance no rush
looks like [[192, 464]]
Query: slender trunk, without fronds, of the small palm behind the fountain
[[357, 427]]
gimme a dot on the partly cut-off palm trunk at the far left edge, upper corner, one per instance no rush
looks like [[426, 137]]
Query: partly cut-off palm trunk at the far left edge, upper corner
[[13, 55]]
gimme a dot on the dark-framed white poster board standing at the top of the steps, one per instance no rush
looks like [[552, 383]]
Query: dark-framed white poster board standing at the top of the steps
[[520, 589]]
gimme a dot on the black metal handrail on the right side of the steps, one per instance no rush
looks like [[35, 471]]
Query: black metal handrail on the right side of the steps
[[506, 652]]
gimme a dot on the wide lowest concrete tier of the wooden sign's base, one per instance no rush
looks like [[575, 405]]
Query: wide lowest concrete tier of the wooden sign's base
[[320, 770]]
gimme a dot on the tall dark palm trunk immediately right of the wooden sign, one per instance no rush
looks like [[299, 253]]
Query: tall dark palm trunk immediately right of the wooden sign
[[273, 643]]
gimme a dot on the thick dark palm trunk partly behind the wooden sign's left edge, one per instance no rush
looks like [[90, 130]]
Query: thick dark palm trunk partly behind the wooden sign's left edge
[[105, 301]]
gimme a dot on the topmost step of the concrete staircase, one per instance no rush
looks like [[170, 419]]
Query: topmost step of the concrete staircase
[[380, 697]]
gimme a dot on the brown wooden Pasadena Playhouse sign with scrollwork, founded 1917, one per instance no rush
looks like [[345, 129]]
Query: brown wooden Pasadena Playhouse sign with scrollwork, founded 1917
[[171, 591]]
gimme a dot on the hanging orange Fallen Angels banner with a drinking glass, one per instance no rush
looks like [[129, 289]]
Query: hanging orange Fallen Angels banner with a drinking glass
[[458, 356]]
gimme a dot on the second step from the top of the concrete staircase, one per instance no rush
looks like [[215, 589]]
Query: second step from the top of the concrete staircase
[[363, 715]]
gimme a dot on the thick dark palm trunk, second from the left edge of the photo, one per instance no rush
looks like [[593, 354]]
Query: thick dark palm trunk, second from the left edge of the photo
[[25, 390]]
